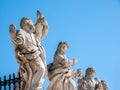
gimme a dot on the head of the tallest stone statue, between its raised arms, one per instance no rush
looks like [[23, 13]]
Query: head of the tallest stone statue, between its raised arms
[[27, 24]]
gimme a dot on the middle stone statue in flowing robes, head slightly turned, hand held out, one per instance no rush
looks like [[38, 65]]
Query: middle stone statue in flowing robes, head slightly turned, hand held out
[[59, 72]]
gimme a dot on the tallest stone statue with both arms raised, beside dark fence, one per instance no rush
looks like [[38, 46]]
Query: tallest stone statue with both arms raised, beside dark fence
[[29, 53]]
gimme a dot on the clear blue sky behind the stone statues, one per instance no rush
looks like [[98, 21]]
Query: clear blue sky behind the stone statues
[[91, 27]]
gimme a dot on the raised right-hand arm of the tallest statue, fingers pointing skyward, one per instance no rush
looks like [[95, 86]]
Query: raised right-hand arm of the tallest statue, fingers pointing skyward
[[41, 27]]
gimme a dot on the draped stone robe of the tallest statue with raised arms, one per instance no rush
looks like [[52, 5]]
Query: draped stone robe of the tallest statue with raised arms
[[31, 57]]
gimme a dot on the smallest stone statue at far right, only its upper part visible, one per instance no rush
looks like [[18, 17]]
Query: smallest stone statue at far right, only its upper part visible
[[88, 82]]
